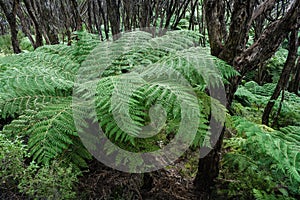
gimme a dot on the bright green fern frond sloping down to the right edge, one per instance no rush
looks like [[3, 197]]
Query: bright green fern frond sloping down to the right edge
[[283, 149]]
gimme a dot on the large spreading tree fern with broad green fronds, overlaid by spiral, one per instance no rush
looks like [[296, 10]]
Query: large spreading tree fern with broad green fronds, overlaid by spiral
[[36, 90]]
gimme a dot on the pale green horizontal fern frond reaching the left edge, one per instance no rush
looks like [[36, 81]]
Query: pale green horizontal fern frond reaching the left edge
[[26, 88]]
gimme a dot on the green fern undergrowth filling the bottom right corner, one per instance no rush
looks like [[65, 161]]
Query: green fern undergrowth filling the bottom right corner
[[263, 162]]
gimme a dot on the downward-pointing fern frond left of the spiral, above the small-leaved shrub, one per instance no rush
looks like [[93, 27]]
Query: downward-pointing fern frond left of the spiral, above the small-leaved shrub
[[52, 133]]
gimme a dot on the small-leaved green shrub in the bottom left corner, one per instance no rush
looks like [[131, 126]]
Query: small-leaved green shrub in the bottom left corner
[[55, 181]]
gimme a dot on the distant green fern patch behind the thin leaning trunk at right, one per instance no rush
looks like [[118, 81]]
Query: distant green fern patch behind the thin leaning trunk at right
[[255, 97]]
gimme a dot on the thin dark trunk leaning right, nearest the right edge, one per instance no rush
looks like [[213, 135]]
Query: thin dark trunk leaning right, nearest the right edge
[[285, 75]]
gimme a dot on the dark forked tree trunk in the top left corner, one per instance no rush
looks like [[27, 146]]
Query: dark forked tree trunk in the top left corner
[[10, 14]]
